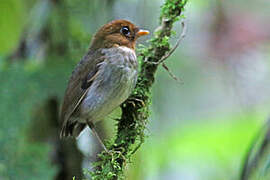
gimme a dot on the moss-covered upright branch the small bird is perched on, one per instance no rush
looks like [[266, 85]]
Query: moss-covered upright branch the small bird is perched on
[[135, 111]]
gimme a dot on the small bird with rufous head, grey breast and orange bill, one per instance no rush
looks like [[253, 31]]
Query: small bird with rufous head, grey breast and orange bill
[[103, 79]]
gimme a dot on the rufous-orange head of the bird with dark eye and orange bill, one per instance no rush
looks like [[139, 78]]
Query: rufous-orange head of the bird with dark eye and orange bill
[[117, 33]]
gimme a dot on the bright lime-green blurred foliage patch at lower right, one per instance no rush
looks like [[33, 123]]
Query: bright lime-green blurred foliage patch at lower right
[[202, 140]]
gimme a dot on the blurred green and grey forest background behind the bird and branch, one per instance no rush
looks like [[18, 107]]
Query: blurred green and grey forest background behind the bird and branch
[[199, 129]]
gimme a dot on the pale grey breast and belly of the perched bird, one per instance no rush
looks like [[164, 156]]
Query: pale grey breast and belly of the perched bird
[[115, 81]]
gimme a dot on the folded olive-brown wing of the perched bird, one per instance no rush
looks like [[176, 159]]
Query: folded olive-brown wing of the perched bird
[[79, 83]]
